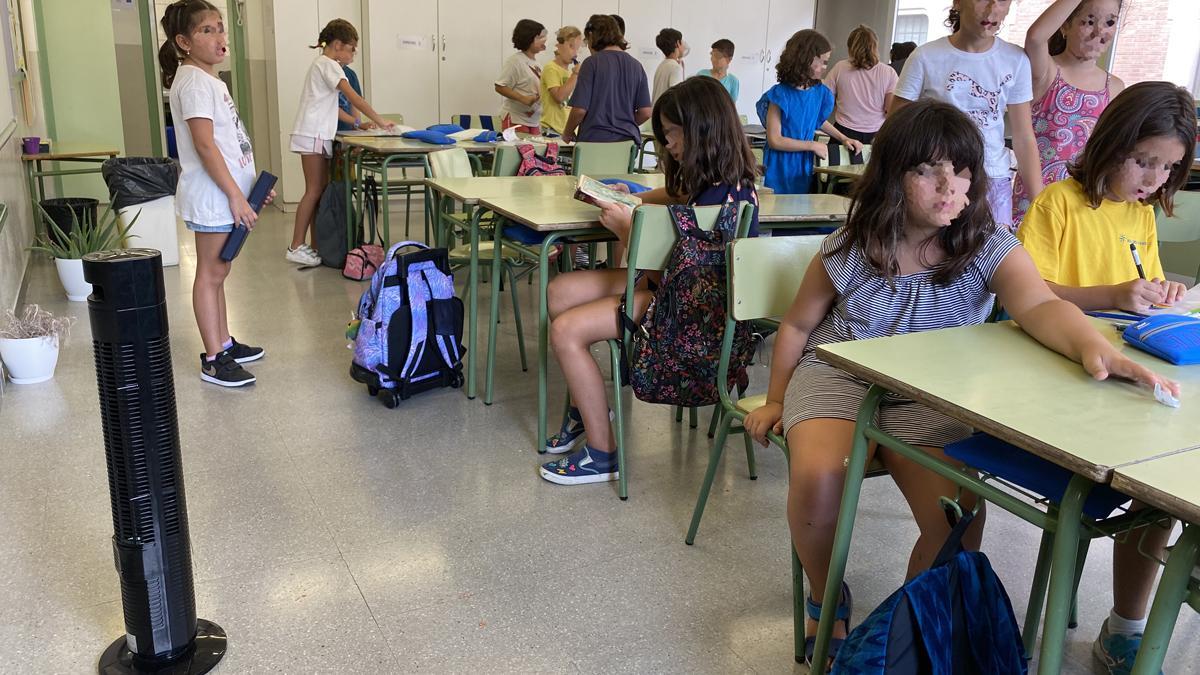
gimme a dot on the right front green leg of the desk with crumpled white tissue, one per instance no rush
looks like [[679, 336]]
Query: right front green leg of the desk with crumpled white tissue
[[1063, 575]]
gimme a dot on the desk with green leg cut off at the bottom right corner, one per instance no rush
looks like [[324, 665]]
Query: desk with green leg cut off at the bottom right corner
[[1169, 485]]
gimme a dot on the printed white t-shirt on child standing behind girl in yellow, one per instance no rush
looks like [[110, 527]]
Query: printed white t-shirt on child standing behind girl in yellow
[[982, 86]]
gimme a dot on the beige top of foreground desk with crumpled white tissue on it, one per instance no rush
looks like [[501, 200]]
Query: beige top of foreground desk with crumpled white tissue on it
[[1001, 381]]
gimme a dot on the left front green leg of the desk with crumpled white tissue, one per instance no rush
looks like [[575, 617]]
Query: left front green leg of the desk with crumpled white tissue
[[856, 470]]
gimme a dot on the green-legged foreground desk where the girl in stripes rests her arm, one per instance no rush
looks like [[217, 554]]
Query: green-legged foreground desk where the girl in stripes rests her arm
[[1001, 381]]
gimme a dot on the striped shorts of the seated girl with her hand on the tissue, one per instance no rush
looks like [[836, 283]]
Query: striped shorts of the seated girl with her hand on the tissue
[[821, 391]]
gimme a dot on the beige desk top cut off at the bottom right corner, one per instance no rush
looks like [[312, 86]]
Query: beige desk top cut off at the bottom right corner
[[1171, 483]]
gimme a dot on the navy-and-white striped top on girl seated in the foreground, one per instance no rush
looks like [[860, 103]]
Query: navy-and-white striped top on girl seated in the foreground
[[869, 307]]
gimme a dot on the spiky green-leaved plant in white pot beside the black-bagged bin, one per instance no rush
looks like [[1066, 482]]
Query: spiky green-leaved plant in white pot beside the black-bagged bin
[[69, 250]]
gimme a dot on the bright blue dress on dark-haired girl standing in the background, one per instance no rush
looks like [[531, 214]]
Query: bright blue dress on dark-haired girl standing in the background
[[802, 114]]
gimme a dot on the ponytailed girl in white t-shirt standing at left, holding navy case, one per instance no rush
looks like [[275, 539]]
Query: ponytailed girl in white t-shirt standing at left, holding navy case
[[218, 174]]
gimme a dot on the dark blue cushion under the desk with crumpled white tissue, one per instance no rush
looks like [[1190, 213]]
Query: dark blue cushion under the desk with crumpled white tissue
[[1010, 463]]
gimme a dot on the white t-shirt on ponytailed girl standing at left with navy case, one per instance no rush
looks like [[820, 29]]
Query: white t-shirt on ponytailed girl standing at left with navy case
[[196, 94]]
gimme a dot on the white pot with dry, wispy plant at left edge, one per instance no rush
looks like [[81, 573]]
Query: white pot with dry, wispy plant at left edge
[[29, 344]]
